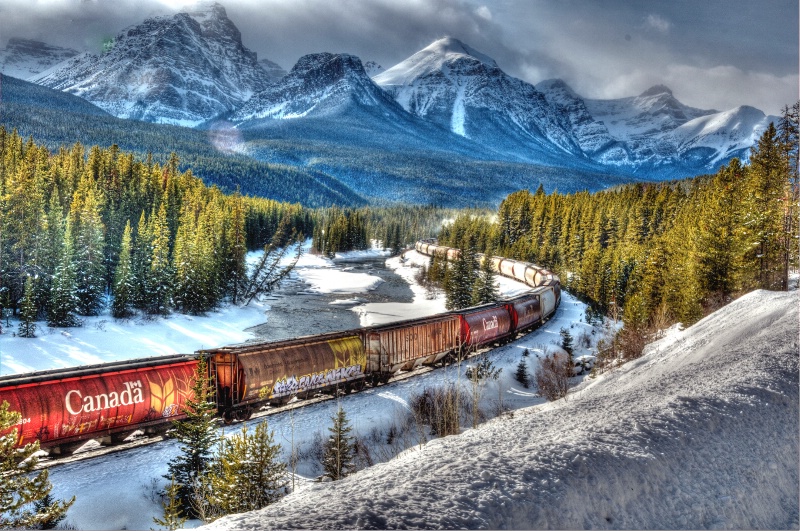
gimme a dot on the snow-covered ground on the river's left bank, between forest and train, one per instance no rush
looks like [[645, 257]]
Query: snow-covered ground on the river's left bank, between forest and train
[[102, 339]]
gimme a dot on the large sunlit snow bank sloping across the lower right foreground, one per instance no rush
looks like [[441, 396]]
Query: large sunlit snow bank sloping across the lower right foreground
[[701, 432]]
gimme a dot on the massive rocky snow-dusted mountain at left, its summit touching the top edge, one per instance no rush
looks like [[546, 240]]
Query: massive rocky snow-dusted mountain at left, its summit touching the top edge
[[182, 69]]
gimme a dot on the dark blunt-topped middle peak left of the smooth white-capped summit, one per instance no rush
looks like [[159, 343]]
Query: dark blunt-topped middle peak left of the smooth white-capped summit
[[318, 85]]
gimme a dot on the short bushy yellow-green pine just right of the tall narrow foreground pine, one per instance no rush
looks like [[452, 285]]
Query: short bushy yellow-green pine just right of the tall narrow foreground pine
[[247, 474]]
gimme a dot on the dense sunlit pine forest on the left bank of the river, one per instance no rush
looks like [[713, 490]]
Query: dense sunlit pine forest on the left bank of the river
[[78, 226]]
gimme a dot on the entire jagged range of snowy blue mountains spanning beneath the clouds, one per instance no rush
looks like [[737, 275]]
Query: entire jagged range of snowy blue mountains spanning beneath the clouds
[[192, 69]]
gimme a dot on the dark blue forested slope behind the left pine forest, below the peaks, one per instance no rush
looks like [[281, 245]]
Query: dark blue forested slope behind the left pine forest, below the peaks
[[56, 119]]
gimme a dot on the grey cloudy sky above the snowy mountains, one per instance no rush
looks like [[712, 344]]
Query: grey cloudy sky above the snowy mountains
[[711, 53]]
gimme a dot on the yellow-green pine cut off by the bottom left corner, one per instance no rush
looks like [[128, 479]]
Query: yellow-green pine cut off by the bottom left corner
[[22, 492]]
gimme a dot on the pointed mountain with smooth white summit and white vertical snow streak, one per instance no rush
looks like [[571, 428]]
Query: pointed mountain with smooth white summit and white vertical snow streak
[[465, 91]]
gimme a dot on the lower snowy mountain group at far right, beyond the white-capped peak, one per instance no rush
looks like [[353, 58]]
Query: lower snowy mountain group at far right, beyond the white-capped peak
[[655, 131]]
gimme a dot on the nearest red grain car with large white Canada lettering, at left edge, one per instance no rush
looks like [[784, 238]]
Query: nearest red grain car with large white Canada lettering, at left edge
[[107, 401]]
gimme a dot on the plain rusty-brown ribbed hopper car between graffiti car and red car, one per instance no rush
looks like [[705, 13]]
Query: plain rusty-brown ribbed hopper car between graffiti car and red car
[[409, 344]]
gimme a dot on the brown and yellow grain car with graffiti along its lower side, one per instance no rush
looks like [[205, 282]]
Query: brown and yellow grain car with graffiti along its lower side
[[277, 371]]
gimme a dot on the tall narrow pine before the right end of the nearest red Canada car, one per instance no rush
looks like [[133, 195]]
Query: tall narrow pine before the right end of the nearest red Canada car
[[197, 436]]
